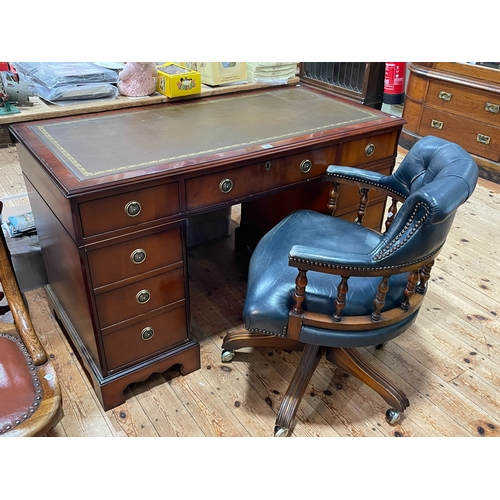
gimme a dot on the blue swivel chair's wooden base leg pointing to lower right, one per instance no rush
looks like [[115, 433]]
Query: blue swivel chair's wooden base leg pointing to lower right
[[353, 363]]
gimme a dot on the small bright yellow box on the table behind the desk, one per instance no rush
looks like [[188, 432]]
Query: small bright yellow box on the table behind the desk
[[175, 80]]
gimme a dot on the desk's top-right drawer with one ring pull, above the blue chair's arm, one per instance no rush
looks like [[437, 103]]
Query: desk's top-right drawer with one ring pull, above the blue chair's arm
[[356, 153]]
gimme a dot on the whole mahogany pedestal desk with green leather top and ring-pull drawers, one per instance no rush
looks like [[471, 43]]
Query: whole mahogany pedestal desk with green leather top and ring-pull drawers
[[111, 193]]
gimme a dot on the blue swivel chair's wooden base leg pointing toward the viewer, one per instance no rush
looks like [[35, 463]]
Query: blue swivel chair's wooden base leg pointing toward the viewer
[[288, 409]]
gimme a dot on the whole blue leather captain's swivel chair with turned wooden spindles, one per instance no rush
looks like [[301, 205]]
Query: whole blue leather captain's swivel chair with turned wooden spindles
[[326, 285]]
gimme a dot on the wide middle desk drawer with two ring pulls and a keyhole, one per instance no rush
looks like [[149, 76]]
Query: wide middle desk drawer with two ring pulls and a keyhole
[[240, 182]]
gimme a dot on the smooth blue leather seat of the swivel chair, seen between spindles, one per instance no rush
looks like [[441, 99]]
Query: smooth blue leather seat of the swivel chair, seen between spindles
[[272, 281]]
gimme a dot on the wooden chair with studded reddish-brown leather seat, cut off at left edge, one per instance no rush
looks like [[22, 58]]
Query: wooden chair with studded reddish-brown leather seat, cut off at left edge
[[30, 397]]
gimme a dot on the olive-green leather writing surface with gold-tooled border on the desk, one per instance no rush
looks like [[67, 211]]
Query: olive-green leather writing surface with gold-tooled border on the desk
[[105, 144]]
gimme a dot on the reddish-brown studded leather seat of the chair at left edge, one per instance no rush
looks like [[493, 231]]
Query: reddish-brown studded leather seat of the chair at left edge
[[17, 389]]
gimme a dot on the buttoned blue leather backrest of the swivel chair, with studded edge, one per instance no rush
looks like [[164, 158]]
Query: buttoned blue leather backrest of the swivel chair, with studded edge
[[435, 178]]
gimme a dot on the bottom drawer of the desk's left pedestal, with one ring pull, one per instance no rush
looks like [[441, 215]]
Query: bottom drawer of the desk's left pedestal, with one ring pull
[[134, 342]]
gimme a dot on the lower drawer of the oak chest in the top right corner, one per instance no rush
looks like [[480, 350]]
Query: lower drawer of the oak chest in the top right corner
[[476, 137]]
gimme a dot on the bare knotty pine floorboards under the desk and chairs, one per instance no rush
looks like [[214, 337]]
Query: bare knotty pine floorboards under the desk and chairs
[[448, 362]]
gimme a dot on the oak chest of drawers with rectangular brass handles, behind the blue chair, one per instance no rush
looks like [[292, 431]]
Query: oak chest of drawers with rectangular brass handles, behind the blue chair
[[458, 102]]
